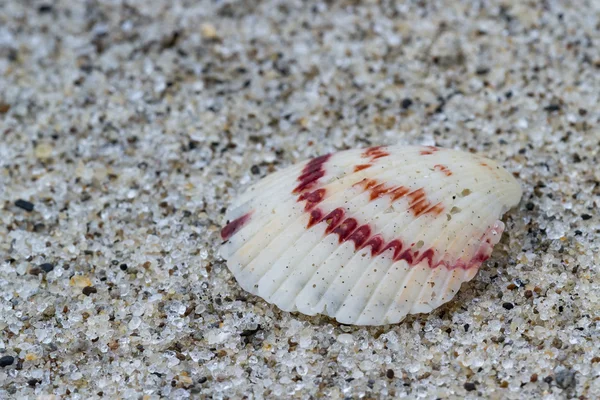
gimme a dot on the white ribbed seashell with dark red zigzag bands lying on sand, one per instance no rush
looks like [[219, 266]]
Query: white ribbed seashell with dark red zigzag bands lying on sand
[[368, 236]]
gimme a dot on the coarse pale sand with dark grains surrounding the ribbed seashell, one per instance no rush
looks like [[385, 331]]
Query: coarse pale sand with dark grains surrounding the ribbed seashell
[[126, 128]]
